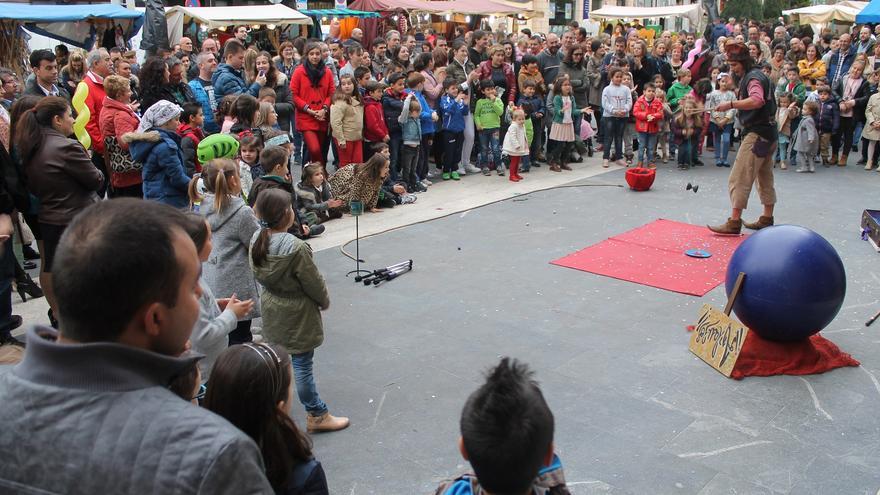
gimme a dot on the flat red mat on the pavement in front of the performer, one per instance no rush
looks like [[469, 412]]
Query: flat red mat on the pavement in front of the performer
[[653, 255]]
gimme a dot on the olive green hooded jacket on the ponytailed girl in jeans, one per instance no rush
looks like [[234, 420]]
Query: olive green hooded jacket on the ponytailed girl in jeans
[[293, 294]]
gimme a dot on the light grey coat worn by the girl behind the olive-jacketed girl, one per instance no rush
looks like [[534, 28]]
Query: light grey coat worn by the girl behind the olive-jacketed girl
[[226, 272]]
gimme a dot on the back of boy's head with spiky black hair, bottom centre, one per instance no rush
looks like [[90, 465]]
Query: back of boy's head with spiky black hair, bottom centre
[[507, 429]]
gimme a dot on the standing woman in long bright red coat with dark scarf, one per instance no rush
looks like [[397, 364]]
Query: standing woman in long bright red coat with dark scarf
[[311, 87]]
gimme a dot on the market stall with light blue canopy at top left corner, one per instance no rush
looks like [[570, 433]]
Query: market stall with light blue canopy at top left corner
[[77, 25]]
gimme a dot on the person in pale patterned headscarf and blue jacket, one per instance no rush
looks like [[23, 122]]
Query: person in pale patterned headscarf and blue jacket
[[164, 175]]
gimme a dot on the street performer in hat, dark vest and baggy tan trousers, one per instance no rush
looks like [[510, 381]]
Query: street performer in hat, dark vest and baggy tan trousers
[[754, 160]]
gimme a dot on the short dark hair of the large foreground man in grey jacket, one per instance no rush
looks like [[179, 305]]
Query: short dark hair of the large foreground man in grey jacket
[[115, 258]]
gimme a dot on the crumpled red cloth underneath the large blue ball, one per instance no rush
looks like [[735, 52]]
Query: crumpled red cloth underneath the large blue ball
[[762, 357]]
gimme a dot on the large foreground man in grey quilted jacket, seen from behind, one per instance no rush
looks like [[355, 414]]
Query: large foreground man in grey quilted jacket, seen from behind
[[88, 410]]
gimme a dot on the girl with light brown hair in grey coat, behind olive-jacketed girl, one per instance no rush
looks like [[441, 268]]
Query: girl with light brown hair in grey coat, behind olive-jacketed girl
[[232, 225]]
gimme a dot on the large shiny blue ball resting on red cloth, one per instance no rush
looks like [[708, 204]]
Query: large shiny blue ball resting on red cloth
[[794, 285]]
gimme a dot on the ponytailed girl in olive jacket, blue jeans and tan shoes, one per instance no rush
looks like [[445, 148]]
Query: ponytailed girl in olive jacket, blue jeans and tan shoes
[[292, 298]]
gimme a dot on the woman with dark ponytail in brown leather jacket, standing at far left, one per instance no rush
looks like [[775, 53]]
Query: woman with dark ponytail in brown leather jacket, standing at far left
[[59, 173]]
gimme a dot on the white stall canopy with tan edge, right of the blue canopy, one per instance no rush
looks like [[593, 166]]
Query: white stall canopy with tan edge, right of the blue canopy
[[218, 17]]
